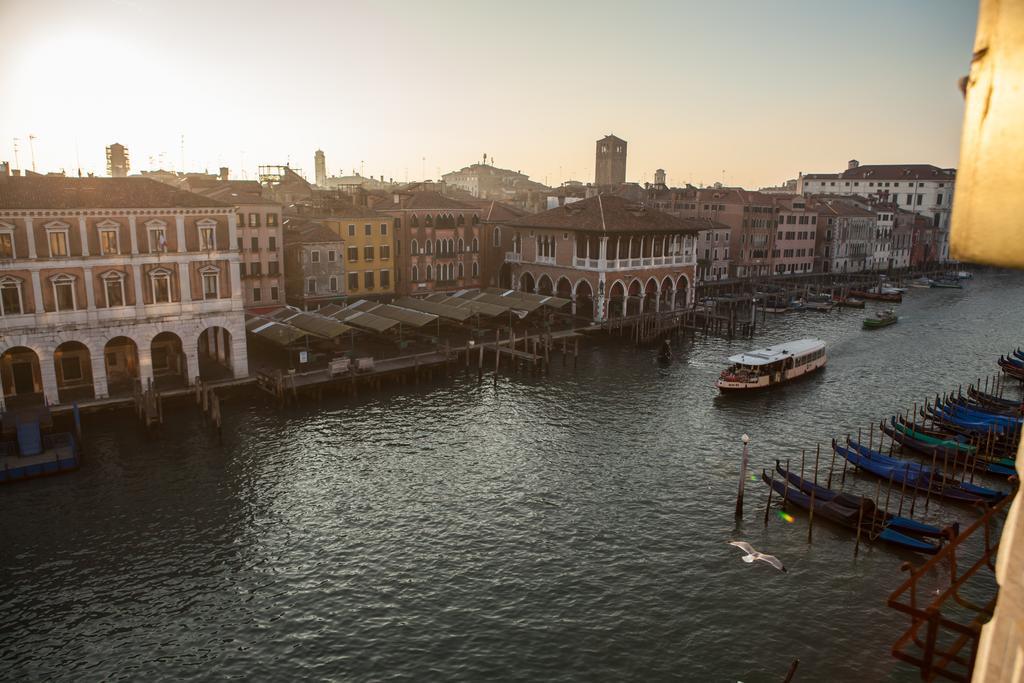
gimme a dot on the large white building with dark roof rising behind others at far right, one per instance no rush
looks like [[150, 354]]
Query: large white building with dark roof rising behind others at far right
[[924, 189]]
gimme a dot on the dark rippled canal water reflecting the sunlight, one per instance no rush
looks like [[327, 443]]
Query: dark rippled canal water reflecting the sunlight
[[560, 529]]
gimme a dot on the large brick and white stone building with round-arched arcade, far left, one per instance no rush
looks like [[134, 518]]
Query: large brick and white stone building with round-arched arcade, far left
[[107, 284]]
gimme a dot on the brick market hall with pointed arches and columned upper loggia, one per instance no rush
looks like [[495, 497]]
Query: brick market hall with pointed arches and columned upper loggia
[[611, 257]]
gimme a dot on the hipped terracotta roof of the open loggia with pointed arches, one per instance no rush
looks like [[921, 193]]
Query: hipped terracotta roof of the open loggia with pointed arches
[[610, 214]]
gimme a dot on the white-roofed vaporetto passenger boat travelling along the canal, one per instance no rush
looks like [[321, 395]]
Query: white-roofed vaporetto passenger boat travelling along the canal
[[776, 365]]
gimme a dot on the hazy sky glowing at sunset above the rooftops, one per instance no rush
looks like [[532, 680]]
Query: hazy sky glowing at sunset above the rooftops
[[756, 91]]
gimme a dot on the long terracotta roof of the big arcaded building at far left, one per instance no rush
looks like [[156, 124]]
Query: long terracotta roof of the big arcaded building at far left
[[60, 193]]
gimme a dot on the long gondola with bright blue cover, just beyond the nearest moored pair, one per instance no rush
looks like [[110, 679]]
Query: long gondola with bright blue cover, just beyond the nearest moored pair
[[916, 476]]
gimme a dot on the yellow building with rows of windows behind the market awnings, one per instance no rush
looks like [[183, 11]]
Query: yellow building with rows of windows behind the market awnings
[[370, 251]]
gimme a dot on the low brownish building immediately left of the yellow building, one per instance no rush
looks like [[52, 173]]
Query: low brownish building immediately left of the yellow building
[[315, 271]]
